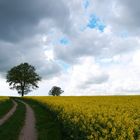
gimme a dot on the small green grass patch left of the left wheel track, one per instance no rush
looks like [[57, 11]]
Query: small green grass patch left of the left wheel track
[[5, 106]]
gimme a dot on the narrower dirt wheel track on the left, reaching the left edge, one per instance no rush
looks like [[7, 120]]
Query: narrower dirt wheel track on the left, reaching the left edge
[[9, 114]]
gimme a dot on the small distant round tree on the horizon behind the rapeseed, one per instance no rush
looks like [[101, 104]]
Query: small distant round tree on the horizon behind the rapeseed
[[55, 91]]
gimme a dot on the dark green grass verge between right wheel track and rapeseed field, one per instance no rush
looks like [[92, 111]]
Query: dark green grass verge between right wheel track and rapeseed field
[[47, 127]]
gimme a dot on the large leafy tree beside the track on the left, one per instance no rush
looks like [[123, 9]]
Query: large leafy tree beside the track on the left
[[23, 78]]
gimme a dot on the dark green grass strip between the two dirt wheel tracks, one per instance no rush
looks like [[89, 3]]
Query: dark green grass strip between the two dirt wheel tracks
[[11, 128]]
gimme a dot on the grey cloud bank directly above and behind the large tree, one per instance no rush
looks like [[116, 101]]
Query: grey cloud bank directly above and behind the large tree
[[27, 51]]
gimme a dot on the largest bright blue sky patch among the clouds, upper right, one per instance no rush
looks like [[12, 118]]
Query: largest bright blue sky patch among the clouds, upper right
[[95, 22]]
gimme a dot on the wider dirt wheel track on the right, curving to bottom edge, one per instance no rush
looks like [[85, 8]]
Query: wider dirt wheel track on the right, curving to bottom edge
[[28, 131]]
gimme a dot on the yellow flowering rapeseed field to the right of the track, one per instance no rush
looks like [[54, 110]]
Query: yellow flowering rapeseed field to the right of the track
[[96, 118]]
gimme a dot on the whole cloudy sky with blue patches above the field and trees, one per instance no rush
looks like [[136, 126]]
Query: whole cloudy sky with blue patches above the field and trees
[[87, 47]]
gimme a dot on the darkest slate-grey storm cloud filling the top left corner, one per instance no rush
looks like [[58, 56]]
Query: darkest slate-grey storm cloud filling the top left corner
[[21, 18]]
